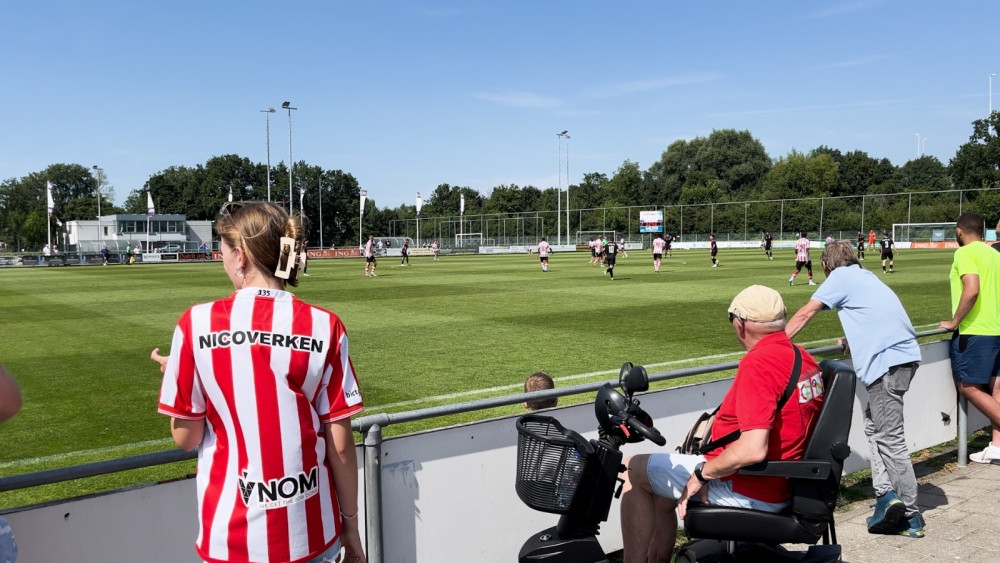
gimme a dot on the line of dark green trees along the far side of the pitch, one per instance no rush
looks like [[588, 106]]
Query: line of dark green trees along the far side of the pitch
[[704, 173]]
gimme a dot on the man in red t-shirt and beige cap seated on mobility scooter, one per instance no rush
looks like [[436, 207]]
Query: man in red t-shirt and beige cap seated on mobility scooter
[[657, 484]]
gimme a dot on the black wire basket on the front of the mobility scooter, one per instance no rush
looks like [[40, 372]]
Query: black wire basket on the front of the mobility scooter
[[551, 463]]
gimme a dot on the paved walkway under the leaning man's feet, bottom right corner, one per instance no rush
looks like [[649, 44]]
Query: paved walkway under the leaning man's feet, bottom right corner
[[962, 510]]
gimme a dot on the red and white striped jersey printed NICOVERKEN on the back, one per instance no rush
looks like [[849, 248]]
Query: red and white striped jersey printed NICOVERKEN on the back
[[266, 371]]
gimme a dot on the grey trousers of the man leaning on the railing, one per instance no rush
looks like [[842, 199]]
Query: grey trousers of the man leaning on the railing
[[890, 458]]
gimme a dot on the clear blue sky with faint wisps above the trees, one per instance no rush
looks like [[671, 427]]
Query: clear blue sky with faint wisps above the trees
[[407, 95]]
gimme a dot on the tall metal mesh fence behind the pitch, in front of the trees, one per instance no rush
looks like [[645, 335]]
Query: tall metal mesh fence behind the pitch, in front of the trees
[[841, 216]]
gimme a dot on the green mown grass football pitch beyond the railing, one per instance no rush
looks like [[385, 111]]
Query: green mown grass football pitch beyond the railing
[[78, 339]]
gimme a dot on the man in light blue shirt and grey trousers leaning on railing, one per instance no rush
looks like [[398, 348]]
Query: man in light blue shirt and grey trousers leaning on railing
[[883, 347]]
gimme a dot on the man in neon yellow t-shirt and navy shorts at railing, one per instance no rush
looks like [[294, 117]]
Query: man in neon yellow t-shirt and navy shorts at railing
[[975, 346]]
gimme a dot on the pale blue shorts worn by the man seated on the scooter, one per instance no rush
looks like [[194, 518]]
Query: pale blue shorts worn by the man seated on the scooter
[[669, 473]]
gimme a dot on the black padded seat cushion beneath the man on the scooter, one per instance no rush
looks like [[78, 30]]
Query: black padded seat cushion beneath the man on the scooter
[[742, 524]]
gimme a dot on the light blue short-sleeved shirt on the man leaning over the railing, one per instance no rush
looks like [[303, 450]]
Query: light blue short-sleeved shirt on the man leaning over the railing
[[877, 327]]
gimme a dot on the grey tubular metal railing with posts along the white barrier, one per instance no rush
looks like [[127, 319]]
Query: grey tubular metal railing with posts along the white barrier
[[371, 429]]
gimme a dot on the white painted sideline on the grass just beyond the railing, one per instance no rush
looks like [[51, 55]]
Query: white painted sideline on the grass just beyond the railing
[[134, 445]]
